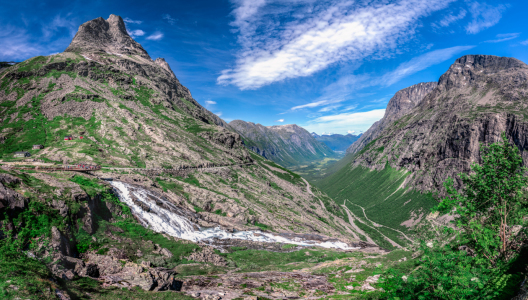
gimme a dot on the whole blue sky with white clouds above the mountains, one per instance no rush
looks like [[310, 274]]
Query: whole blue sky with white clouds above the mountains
[[329, 66]]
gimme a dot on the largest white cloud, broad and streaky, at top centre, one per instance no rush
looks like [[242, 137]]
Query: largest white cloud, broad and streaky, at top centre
[[341, 31]]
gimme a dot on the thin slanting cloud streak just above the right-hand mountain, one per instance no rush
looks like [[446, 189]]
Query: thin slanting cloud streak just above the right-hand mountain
[[422, 62]]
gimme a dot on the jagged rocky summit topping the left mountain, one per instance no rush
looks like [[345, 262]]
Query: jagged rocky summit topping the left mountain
[[100, 35]]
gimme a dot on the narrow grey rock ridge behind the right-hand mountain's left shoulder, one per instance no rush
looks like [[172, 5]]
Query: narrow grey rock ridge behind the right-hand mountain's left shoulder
[[399, 105]]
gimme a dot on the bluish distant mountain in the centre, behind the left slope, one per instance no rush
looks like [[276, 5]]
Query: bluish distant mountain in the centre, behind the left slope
[[287, 145]]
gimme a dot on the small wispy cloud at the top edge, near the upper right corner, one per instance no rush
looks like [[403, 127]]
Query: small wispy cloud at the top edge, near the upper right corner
[[484, 16]]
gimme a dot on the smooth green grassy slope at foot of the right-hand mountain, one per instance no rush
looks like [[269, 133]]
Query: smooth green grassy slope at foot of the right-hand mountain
[[379, 193]]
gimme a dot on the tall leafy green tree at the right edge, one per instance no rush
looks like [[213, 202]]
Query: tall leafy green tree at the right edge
[[491, 206]]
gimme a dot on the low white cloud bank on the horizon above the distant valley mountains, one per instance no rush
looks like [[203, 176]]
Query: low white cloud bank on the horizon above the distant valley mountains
[[341, 123]]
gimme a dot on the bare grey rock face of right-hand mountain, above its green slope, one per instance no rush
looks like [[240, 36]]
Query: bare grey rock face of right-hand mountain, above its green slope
[[476, 100]]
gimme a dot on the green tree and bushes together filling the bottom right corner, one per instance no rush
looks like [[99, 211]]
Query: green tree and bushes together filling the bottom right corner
[[491, 203]]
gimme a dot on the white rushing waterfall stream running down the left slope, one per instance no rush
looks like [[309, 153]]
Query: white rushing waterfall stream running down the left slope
[[170, 222]]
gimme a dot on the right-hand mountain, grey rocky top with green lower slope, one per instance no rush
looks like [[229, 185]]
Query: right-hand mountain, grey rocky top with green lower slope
[[392, 178]]
